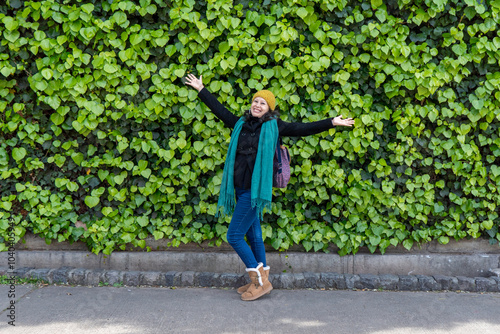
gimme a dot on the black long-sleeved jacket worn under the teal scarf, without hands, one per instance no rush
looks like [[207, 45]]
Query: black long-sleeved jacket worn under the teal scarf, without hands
[[248, 142]]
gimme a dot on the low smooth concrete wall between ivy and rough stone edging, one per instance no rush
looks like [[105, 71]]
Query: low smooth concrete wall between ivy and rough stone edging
[[469, 265]]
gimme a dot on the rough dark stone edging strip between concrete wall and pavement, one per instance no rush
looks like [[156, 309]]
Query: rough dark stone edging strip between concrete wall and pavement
[[306, 280]]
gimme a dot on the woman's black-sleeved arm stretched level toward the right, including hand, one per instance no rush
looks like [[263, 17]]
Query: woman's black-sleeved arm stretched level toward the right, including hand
[[307, 129]]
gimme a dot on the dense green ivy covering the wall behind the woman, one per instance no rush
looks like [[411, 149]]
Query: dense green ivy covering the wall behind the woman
[[97, 128]]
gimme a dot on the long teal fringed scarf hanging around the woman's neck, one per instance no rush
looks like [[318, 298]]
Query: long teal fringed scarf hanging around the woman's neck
[[262, 177]]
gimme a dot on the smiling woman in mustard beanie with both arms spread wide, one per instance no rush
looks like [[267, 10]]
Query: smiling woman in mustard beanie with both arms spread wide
[[247, 175]]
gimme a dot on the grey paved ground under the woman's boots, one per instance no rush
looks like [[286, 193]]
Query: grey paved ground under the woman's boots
[[109, 310]]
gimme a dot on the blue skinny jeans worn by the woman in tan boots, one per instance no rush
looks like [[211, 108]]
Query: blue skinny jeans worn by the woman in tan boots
[[246, 222]]
